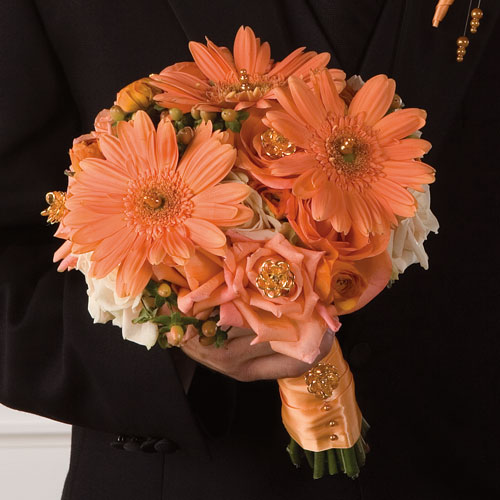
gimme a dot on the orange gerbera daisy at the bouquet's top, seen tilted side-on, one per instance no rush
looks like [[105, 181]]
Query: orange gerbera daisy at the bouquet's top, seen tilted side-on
[[218, 79]]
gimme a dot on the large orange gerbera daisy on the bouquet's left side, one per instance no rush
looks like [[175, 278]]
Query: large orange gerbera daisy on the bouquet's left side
[[140, 206]]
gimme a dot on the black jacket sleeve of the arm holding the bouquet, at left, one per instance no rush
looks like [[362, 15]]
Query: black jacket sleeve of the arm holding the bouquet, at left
[[53, 360]]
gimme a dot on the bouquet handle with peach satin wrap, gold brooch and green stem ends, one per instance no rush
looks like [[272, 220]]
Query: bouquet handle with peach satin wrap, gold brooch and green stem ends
[[321, 415]]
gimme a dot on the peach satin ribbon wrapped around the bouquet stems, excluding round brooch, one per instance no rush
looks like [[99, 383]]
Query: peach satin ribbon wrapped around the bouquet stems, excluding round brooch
[[310, 425]]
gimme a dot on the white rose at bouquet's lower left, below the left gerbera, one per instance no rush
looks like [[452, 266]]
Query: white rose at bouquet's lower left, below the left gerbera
[[105, 305]]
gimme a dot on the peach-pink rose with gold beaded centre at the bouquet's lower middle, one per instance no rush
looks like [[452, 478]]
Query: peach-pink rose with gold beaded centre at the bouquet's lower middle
[[290, 315]]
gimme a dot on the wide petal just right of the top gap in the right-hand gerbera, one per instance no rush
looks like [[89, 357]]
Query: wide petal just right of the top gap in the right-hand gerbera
[[374, 98]]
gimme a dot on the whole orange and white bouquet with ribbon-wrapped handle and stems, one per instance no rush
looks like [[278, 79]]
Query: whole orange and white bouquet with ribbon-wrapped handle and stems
[[236, 191]]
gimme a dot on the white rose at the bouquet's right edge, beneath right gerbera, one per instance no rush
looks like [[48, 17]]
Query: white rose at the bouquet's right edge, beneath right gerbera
[[406, 242]]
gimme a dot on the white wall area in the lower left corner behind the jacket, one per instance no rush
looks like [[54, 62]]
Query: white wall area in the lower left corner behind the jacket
[[34, 456]]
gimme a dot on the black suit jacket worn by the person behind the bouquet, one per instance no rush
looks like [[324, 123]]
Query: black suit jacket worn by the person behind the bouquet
[[423, 353]]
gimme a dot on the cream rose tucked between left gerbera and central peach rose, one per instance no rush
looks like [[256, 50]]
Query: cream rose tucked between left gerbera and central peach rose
[[263, 225]]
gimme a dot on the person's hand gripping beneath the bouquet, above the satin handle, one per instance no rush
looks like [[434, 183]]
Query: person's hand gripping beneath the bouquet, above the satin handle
[[246, 363]]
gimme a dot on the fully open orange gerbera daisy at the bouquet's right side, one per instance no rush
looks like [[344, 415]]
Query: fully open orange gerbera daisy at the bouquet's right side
[[354, 164]]
